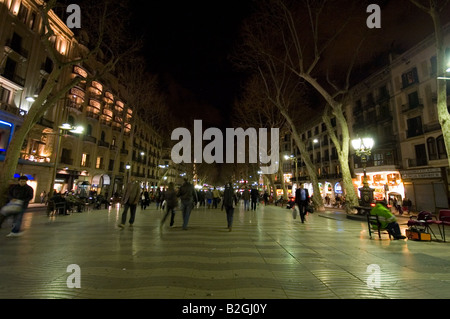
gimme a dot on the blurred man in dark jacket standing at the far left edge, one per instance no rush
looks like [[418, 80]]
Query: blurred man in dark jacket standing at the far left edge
[[19, 193]]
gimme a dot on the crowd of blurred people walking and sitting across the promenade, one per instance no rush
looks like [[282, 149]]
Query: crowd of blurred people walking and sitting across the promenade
[[184, 199]]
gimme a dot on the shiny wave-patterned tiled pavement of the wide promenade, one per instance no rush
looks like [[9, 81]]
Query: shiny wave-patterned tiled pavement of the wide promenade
[[268, 255]]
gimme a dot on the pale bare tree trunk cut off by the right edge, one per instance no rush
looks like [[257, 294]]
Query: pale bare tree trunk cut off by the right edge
[[434, 9]]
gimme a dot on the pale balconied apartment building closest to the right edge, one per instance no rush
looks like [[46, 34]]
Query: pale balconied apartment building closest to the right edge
[[424, 160]]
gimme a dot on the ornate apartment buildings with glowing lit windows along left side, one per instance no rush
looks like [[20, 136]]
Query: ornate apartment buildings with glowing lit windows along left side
[[115, 144]]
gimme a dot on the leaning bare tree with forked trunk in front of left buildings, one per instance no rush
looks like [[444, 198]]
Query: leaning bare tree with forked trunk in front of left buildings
[[103, 46]]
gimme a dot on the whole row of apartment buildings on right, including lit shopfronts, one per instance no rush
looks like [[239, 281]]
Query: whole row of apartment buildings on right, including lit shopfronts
[[396, 106]]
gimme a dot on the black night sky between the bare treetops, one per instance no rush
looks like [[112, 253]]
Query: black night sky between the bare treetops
[[187, 43]]
